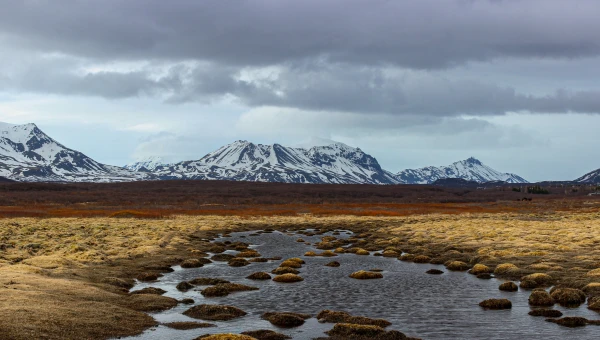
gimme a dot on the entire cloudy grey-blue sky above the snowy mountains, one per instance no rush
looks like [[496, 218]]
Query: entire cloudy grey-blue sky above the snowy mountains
[[514, 83]]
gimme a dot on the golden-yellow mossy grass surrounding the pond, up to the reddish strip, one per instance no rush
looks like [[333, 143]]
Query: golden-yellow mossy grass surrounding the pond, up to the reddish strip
[[91, 291]]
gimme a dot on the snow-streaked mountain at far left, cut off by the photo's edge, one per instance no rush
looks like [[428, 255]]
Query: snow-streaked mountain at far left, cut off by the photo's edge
[[28, 154]]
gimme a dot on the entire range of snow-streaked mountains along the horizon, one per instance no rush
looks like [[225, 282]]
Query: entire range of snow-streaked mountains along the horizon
[[28, 154]]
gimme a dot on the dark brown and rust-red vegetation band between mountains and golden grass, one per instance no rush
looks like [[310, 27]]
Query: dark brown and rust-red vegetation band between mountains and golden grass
[[165, 198]]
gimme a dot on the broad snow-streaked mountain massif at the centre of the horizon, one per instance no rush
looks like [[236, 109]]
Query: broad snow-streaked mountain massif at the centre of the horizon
[[246, 161]]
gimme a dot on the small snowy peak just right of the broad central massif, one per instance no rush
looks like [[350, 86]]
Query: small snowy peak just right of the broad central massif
[[470, 169]]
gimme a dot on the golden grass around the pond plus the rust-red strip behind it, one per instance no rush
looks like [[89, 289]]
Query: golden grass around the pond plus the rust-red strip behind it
[[68, 277]]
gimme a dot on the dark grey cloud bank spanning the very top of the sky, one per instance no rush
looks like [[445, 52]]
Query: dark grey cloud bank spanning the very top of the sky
[[415, 34]]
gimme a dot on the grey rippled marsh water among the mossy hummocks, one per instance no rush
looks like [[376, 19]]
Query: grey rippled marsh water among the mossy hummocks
[[417, 304]]
